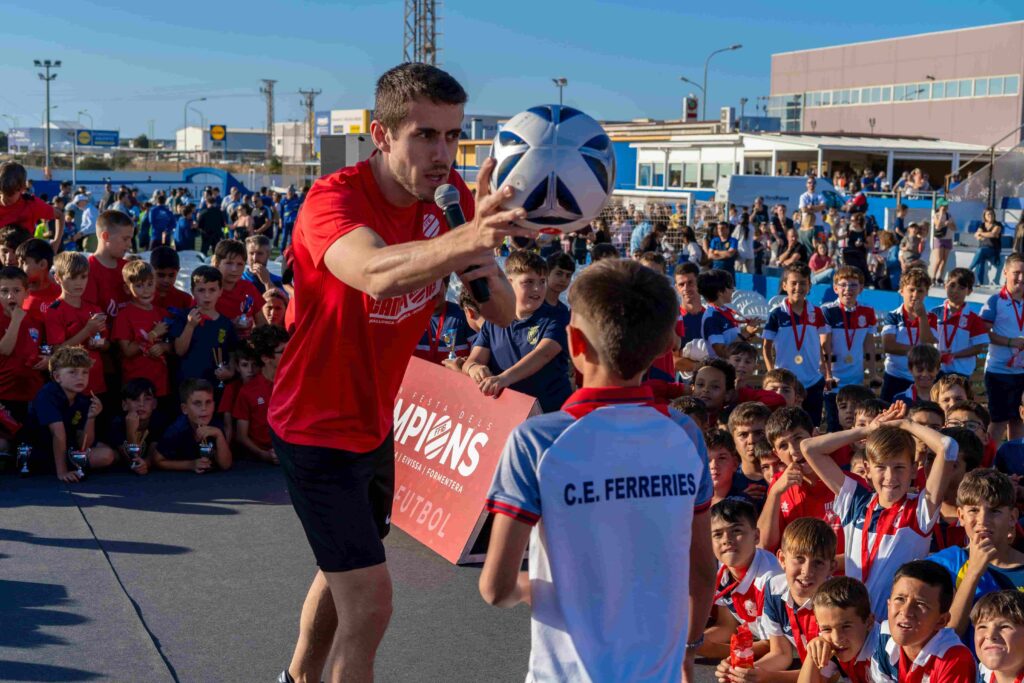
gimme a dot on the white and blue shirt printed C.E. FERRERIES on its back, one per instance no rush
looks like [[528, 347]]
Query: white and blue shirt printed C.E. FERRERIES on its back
[[611, 485]]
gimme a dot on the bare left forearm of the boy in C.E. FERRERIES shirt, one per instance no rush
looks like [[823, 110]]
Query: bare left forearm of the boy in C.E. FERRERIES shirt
[[502, 584]]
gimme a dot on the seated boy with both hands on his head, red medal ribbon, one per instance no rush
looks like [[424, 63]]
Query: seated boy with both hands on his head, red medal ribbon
[[884, 530]]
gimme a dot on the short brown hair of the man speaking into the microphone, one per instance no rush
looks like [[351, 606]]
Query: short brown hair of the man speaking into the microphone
[[401, 87]]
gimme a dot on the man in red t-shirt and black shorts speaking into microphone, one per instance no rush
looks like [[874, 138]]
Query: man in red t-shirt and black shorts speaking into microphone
[[370, 250]]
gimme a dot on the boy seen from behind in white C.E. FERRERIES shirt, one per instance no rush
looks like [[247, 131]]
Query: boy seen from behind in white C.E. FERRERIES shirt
[[575, 483]]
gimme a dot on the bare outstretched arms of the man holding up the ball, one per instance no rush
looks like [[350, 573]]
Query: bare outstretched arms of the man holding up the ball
[[364, 262]]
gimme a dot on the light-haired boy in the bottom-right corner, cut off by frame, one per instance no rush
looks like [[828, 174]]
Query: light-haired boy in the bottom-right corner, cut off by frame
[[999, 636]]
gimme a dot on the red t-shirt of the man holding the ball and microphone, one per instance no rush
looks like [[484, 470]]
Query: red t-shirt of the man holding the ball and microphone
[[342, 371]]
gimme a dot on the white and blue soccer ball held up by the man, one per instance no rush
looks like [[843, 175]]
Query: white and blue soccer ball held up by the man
[[562, 164]]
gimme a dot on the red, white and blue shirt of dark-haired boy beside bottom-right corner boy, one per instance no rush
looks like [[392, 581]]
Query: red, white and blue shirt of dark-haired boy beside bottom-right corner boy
[[944, 660]]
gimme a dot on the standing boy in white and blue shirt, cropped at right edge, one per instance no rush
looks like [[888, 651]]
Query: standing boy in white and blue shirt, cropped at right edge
[[1005, 363]]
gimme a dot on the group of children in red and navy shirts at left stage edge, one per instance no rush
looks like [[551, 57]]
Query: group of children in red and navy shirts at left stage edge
[[105, 363]]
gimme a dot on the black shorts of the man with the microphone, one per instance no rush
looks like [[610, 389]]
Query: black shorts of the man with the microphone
[[344, 500]]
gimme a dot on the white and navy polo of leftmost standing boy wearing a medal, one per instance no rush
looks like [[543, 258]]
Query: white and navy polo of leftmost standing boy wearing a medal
[[780, 329]]
